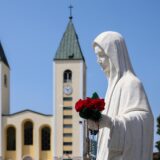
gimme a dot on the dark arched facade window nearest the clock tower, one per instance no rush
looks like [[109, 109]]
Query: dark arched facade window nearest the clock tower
[[45, 138]]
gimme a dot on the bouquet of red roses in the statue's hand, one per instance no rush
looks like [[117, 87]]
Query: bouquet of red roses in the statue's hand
[[90, 108]]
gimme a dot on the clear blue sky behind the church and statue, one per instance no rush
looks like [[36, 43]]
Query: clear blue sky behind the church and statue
[[30, 32]]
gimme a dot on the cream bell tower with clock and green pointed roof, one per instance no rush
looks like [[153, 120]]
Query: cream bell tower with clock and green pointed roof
[[69, 85]]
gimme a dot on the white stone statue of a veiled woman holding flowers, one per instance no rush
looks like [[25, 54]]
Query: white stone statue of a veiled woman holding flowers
[[126, 126]]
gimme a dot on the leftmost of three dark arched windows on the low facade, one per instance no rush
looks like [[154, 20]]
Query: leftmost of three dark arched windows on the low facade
[[11, 139]]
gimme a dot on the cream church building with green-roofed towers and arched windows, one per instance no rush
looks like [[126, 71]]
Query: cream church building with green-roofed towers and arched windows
[[29, 135]]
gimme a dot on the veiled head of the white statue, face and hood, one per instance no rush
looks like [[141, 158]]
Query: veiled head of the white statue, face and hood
[[112, 53]]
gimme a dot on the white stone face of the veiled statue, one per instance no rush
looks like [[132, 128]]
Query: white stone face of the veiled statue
[[102, 59]]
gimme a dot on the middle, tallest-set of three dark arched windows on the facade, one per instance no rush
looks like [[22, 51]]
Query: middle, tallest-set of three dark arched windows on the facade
[[28, 133]]
